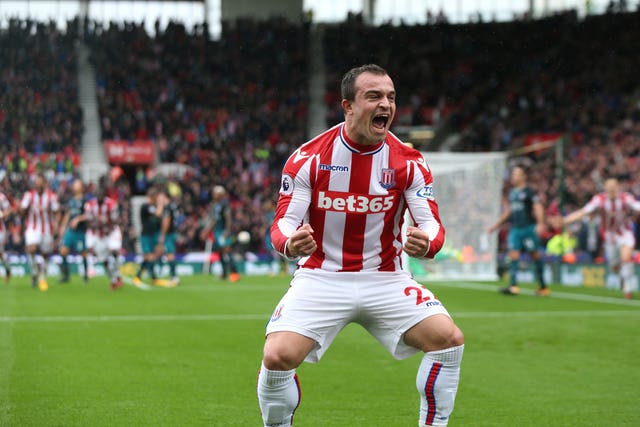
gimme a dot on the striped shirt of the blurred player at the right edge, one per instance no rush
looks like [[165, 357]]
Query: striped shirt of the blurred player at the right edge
[[613, 212]]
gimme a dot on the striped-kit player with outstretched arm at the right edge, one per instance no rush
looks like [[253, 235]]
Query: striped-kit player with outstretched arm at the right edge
[[616, 230]]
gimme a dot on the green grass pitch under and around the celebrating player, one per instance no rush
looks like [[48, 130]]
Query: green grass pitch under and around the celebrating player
[[81, 355]]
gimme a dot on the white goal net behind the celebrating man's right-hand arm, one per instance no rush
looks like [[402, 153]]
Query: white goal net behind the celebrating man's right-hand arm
[[468, 189]]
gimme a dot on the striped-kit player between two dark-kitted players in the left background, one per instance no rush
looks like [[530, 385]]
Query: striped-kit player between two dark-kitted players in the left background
[[104, 237]]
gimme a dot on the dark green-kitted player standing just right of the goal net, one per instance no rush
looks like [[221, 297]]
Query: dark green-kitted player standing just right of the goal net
[[526, 215]]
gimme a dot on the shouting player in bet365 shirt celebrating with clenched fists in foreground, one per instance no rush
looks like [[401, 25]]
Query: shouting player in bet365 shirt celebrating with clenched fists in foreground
[[342, 201]]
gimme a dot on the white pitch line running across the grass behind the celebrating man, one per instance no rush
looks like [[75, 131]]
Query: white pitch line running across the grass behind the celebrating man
[[264, 317]]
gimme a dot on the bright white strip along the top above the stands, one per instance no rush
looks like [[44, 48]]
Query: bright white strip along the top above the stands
[[381, 11]]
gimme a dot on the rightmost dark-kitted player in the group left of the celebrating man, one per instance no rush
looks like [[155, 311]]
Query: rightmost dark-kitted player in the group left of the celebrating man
[[220, 223]]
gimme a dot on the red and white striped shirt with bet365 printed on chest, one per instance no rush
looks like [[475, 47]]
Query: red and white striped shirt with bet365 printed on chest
[[354, 197]]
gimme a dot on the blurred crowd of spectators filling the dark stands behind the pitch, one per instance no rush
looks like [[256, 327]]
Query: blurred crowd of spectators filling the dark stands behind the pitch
[[233, 109]]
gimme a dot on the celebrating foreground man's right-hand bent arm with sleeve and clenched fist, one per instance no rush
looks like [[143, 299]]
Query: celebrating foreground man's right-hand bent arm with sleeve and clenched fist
[[427, 238]]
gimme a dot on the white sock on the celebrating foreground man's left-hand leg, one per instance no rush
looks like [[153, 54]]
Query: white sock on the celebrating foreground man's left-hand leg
[[278, 395]]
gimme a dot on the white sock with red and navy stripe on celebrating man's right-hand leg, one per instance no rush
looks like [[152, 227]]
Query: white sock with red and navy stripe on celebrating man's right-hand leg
[[437, 383]]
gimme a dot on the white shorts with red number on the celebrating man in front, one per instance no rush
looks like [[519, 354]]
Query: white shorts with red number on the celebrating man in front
[[319, 304]]
